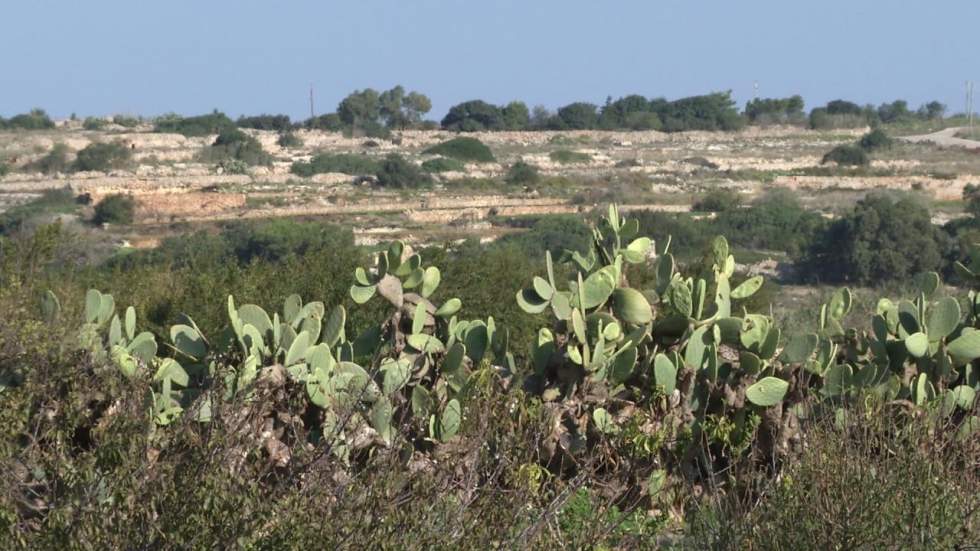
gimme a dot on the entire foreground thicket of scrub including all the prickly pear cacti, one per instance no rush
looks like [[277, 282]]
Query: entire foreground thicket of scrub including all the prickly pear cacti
[[646, 394]]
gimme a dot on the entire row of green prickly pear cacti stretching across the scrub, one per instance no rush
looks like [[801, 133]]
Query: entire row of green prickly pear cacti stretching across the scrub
[[678, 353]]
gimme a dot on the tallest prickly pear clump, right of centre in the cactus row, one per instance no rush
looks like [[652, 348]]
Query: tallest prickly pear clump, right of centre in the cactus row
[[611, 345]]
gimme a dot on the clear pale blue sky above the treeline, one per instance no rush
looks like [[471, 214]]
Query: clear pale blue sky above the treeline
[[246, 56]]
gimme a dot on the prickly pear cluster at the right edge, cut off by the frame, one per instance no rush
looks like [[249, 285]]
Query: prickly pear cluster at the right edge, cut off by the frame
[[920, 351]]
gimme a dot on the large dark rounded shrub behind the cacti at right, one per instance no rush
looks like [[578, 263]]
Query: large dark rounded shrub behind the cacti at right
[[882, 239]]
